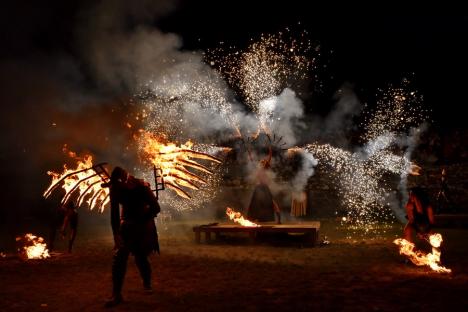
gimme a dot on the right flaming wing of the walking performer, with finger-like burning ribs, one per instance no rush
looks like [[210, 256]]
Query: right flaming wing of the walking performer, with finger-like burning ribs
[[174, 161]]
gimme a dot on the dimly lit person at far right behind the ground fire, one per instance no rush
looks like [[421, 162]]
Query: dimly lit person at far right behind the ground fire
[[420, 214]]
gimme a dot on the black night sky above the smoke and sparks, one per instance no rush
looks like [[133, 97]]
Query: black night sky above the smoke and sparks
[[371, 46]]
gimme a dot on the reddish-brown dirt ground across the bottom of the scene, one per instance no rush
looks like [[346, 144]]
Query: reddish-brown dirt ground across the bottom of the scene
[[355, 272]]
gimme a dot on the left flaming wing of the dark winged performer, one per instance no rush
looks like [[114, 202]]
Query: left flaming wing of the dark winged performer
[[87, 185]]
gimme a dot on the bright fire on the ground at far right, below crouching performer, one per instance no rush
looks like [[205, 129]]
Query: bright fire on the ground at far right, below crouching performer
[[419, 258]]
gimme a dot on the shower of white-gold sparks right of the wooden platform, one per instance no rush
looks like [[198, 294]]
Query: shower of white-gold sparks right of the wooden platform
[[363, 187]]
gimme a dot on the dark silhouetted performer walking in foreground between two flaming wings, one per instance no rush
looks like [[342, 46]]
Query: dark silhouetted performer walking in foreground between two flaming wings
[[133, 209]]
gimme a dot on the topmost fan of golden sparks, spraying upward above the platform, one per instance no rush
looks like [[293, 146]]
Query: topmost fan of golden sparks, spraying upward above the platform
[[266, 67]]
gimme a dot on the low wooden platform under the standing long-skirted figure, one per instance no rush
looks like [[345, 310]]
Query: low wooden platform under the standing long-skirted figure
[[310, 230]]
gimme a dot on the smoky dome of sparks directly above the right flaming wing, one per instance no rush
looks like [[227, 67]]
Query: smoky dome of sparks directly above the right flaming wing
[[171, 104]]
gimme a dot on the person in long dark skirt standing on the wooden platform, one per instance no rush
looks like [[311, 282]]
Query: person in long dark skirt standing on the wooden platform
[[262, 207]]
